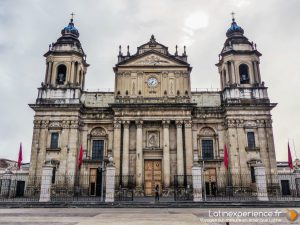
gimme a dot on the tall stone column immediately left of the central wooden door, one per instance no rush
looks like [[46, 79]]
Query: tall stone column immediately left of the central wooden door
[[139, 154]]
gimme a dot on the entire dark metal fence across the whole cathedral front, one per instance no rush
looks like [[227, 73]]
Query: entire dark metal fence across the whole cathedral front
[[215, 187]]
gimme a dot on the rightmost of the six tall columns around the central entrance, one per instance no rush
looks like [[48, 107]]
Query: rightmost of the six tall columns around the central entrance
[[188, 146]]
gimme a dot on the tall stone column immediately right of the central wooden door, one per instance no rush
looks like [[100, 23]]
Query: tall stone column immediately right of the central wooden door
[[166, 153]]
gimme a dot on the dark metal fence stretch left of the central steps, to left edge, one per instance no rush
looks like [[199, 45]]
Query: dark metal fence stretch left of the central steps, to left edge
[[64, 188]]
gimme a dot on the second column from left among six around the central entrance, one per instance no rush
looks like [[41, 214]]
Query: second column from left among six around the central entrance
[[125, 161]]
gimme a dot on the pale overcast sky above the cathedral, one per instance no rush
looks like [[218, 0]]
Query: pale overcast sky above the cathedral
[[28, 27]]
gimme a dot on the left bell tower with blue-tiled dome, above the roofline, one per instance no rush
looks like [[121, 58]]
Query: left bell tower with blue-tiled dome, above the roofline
[[66, 61]]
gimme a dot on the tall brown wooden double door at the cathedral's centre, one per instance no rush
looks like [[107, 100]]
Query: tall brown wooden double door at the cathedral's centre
[[152, 176]]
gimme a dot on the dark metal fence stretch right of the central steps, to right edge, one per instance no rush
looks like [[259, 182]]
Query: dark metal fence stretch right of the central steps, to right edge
[[250, 187]]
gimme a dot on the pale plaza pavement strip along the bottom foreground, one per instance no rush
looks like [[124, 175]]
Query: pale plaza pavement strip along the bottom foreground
[[116, 216]]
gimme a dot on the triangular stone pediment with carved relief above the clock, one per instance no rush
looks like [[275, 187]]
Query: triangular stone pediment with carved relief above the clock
[[152, 58]]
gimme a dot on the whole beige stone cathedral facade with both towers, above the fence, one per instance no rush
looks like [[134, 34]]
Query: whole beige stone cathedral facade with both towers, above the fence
[[153, 125]]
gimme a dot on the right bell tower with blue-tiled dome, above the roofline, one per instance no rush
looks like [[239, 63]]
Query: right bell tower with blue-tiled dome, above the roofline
[[239, 61]]
